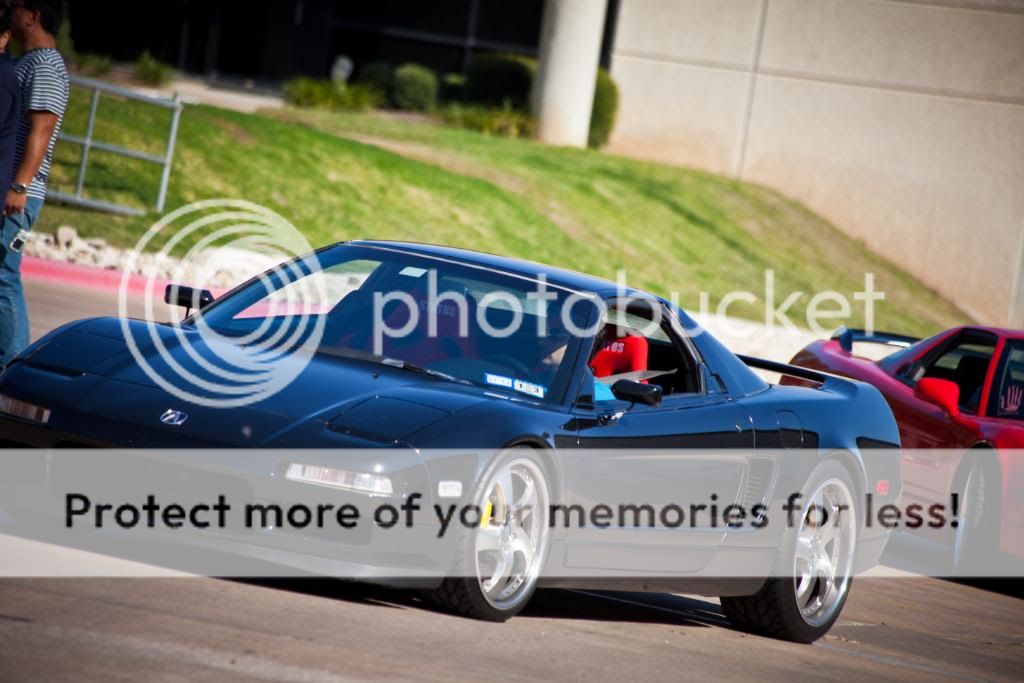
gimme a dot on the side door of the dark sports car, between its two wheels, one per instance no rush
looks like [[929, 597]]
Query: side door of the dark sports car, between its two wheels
[[644, 460]]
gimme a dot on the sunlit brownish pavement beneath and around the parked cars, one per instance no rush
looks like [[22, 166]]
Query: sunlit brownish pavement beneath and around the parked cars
[[195, 629]]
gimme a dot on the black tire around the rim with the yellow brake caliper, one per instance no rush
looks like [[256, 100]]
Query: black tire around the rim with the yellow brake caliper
[[462, 592]]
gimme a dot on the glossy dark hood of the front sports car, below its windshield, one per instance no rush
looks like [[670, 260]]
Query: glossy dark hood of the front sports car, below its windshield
[[323, 396]]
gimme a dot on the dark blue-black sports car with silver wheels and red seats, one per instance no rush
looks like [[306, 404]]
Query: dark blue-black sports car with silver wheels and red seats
[[553, 387]]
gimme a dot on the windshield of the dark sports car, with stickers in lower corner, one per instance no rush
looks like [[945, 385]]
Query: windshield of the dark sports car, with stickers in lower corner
[[466, 323]]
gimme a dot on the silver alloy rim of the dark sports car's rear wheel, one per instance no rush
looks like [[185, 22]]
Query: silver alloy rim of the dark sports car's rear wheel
[[826, 544]]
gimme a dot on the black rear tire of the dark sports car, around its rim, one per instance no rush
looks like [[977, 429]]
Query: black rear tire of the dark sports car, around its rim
[[775, 610]]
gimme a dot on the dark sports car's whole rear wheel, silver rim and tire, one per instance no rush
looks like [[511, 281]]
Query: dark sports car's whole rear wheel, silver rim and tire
[[803, 602]]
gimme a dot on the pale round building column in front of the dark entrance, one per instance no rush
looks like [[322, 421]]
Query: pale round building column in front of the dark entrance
[[564, 89]]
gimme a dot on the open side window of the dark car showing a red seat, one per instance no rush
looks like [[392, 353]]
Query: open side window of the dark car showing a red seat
[[638, 345]]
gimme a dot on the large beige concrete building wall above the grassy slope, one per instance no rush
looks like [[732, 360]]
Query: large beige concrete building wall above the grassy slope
[[902, 121]]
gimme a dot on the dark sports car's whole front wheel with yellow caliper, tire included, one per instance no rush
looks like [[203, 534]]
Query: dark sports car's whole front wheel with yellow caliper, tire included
[[498, 565]]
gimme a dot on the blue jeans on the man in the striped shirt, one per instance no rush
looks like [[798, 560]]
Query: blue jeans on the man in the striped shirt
[[14, 312]]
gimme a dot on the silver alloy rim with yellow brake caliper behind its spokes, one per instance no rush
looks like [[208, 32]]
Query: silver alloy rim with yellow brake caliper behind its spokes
[[511, 542]]
